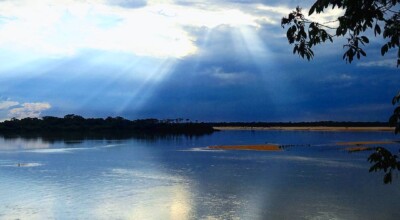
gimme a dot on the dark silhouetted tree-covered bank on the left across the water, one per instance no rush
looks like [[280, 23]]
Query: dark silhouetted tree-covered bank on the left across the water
[[117, 125]]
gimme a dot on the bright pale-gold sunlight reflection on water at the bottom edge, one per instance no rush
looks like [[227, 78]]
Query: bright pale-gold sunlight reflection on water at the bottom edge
[[157, 202]]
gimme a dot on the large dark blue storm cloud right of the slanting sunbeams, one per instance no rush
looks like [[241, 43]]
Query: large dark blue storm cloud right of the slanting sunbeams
[[222, 82]]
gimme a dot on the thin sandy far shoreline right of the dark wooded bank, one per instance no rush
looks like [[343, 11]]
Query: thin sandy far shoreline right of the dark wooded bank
[[305, 128]]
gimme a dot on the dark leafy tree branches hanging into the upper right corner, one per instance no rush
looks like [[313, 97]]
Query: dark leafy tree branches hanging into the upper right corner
[[359, 16]]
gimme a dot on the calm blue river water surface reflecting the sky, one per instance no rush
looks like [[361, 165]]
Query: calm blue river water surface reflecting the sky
[[176, 178]]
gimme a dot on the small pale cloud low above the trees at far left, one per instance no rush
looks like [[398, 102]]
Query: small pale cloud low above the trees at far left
[[32, 110]]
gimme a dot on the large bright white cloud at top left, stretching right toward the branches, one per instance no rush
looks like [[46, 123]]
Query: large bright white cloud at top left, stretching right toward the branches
[[63, 27]]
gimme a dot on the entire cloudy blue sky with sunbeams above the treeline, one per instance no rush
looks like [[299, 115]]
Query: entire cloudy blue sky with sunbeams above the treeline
[[202, 60]]
